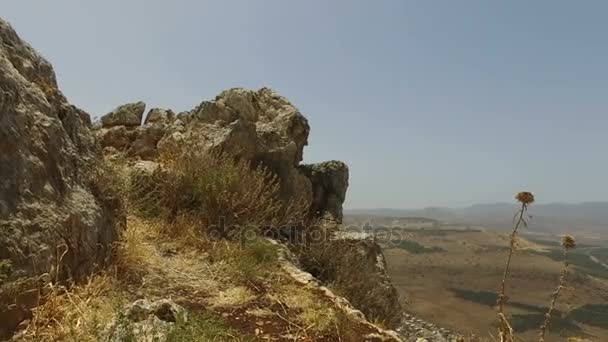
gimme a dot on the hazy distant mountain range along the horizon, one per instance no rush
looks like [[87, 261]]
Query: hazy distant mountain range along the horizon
[[587, 217]]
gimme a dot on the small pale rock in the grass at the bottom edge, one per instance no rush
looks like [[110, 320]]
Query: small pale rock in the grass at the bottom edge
[[145, 321]]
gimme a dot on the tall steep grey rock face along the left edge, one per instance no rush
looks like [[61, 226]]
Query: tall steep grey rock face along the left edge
[[54, 219]]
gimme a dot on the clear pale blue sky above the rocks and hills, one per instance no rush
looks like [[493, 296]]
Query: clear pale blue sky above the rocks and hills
[[429, 102]]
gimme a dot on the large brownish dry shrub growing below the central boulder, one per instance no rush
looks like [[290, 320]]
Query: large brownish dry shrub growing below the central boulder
[[223, 194]]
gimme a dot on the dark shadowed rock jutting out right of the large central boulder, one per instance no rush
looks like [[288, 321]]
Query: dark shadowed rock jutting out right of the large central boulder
[[329, 184]]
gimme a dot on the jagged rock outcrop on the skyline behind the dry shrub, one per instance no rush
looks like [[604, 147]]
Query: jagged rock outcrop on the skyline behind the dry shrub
[[260, 126]]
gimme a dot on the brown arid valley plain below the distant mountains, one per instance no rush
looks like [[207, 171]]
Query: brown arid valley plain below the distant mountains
[[450, 275]]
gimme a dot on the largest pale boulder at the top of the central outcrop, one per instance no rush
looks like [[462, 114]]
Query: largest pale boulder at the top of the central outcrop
[[260, 126]]
